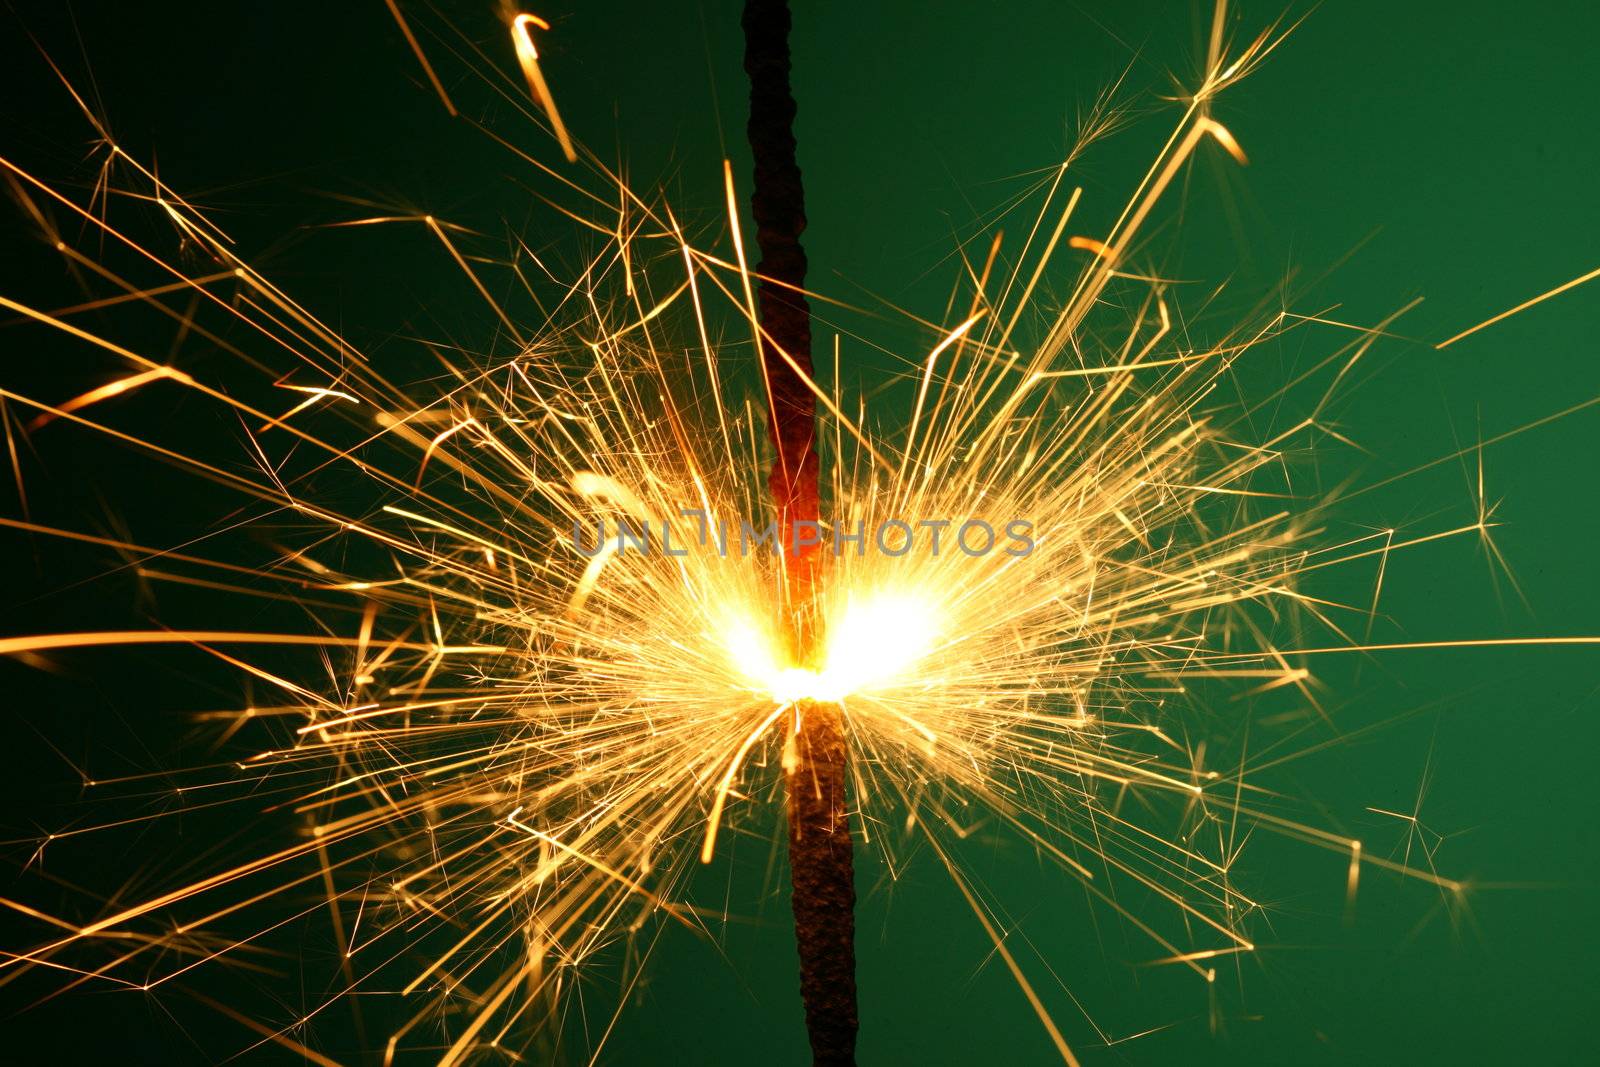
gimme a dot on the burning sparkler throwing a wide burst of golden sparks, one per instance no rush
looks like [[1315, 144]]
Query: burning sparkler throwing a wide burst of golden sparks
[[524, 748]]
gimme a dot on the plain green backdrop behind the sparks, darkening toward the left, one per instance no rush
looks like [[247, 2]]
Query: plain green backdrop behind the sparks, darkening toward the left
[[1449, 146]]
